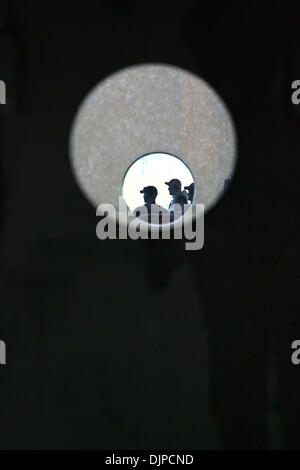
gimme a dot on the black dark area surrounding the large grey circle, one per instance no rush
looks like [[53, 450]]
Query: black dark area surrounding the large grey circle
[[88, 364]]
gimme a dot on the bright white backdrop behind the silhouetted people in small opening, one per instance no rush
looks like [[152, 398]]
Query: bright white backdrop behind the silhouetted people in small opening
[[154, 170]]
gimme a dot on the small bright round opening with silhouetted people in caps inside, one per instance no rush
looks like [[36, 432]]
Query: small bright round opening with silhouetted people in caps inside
[[158, 181]]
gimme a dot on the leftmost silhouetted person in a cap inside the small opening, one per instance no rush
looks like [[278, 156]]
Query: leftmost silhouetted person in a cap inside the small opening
[[151, 212]]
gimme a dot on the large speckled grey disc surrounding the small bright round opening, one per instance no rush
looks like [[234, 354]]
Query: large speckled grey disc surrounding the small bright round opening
[[147, 109]]
